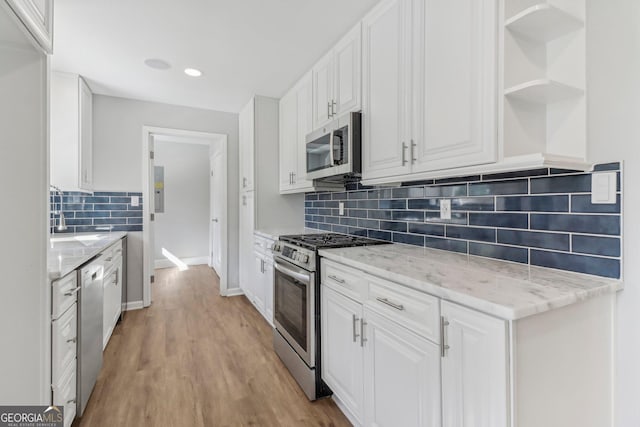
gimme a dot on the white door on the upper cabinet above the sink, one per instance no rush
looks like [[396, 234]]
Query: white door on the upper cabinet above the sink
[[86, 136]]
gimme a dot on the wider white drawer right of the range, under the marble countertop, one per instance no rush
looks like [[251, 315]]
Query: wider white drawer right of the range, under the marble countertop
[[415, 310]]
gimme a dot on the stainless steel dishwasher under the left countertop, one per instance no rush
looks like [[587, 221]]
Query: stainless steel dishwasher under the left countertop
[[90, 300]]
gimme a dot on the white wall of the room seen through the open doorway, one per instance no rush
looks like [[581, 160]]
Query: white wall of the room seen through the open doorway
[[183, 227]]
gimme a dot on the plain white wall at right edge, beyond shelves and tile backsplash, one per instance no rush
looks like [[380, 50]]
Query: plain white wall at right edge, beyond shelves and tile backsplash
[[613, 65]]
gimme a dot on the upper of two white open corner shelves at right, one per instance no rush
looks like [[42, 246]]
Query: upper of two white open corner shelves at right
[[543, 22]]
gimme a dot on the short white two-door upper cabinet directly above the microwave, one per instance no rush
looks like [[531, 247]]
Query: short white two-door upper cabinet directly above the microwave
[[337, 79]]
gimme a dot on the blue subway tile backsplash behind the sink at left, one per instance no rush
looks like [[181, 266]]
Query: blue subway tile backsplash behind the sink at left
[[98, 212]]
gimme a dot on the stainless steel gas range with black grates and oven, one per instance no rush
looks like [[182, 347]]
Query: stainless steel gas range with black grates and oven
[[296, 336]]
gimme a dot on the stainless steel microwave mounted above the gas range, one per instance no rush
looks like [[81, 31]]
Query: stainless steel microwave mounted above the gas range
[[334, 150]]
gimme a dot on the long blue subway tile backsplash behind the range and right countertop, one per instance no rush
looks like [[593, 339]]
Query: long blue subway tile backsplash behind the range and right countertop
[[540, 217]]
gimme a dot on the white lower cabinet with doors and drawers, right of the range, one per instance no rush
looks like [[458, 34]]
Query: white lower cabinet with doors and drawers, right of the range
[[385, 370]]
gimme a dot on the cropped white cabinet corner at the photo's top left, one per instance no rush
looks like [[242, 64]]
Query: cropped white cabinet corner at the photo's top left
[[37, 16]]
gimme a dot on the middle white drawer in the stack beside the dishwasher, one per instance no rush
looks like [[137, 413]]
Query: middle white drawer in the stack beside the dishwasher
[[63, 342]]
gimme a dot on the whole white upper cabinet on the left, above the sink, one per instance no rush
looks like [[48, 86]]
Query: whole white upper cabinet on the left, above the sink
[[71, 133]]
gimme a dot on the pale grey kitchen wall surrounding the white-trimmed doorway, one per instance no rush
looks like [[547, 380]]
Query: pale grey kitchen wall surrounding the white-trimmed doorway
[[117, 138]]
